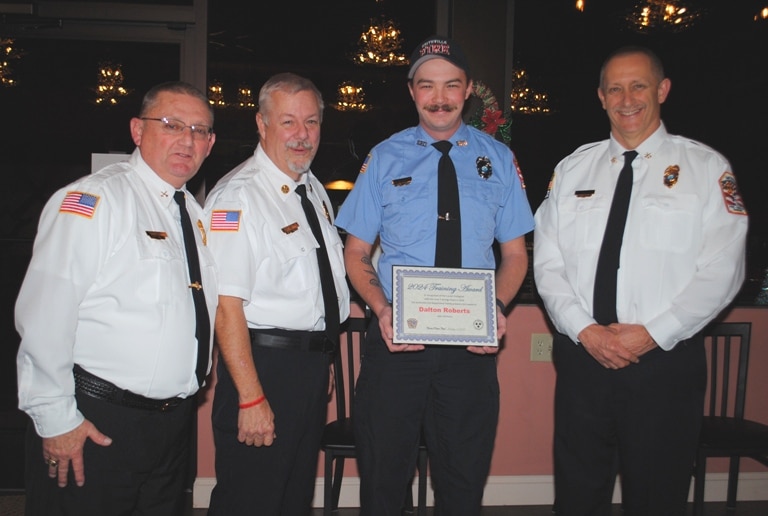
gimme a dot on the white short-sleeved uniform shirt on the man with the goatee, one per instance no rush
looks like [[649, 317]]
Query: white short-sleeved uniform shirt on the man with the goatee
[[265, 249]]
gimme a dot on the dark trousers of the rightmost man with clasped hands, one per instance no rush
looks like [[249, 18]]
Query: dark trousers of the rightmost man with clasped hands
[[643, 419]]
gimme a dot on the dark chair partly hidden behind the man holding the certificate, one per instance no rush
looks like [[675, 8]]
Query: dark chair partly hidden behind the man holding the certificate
[[338, 441]]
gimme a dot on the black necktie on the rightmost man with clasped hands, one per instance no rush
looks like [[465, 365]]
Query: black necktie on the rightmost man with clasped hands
[[604, 302]]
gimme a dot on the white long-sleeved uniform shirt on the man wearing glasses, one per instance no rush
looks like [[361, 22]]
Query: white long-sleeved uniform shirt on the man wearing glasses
[[109, 292]]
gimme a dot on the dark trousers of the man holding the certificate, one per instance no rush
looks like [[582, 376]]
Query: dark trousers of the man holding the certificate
[[449, 392]]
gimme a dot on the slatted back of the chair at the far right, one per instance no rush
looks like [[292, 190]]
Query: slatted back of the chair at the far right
[[727, 346]]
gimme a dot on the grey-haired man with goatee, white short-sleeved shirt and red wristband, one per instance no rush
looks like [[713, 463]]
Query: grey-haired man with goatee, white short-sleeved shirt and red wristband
[[271, 395]]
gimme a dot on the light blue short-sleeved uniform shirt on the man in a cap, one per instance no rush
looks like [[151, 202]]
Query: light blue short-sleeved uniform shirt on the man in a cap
[[395, 198]]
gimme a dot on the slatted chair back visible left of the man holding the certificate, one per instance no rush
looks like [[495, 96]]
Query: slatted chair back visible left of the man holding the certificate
[[346, 364]]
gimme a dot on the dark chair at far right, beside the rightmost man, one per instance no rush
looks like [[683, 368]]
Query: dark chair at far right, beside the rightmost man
[[725, 432]]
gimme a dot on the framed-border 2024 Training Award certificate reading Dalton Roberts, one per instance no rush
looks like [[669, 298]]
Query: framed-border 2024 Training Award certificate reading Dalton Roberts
[[433, 305]]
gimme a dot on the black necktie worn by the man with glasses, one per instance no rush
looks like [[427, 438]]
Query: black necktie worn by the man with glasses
[[203, 326]]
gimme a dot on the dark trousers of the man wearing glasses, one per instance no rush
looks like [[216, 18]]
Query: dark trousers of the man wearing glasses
[[143, 472]]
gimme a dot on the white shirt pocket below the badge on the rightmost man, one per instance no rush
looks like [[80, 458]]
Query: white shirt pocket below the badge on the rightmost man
[[667, 221]]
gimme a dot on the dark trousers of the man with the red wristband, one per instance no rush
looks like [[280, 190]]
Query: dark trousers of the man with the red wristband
[[276, 480]]
